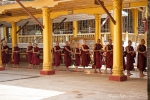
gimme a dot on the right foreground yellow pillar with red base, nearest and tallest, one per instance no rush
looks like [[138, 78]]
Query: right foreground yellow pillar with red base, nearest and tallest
[[118, 74]]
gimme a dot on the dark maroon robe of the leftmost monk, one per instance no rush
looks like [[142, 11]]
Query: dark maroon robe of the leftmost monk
[[5, 55]]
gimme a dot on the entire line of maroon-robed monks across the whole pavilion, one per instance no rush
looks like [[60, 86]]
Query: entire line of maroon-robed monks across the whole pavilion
[[82, 56]]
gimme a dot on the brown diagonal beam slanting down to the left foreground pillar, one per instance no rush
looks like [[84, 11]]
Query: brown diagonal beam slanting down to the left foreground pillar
[[29, 13]]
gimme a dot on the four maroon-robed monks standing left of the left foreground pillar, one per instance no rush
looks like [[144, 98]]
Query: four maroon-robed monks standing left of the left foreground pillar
[[33, 55]]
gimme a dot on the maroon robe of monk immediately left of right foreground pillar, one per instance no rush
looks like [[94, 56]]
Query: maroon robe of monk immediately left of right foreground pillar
[[109, 57]]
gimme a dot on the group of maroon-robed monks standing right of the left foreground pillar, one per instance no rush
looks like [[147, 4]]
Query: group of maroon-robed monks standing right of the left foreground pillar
[[83, 53]]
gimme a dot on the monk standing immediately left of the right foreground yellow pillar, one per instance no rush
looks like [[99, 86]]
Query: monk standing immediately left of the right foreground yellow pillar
[[109, 56]]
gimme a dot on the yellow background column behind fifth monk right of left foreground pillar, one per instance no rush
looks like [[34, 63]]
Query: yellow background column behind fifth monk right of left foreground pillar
[[97, 27]]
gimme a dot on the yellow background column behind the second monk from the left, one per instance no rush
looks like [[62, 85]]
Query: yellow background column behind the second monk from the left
[[14, 36]]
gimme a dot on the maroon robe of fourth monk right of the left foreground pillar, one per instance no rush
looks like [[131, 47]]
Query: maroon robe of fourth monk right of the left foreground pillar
[[85, 56]]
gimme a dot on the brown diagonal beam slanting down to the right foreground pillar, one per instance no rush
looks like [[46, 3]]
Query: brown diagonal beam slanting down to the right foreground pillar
[[98, 2]]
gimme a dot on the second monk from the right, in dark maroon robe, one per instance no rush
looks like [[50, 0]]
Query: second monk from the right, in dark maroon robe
[[130, 58]]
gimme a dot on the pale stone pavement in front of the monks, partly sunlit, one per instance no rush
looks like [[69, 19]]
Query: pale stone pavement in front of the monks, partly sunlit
[[28, 84]]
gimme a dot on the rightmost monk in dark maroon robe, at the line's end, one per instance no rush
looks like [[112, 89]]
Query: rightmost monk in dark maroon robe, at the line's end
[[141, 60]]
